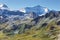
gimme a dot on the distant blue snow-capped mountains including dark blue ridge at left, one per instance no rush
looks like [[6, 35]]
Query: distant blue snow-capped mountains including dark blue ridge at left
[[38, 10]]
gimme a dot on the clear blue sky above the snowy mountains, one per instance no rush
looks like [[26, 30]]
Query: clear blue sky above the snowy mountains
[[17, 4]]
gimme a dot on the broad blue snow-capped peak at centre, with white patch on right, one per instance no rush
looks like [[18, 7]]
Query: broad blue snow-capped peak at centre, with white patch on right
[[39, 10]]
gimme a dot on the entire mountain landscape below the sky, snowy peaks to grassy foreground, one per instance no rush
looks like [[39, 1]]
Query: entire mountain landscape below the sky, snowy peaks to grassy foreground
[[29, 23]]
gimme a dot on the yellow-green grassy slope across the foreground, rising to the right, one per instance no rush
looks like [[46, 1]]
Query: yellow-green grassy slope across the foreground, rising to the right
[[33, 34]]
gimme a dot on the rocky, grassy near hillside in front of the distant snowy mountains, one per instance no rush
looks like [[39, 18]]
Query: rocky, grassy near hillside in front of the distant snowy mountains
[[45, 27]]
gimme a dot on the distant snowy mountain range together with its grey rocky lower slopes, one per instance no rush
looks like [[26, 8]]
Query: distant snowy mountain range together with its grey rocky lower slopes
[[22, 14]]
